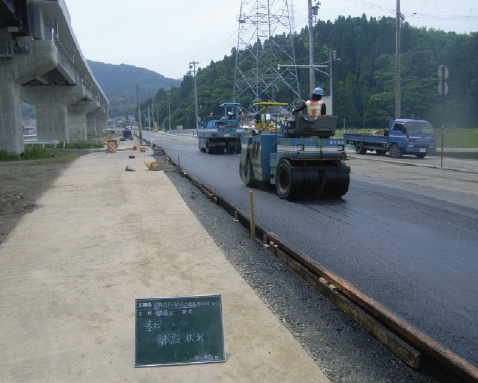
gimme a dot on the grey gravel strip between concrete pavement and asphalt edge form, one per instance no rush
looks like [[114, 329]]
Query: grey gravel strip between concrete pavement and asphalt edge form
[[346, 352]]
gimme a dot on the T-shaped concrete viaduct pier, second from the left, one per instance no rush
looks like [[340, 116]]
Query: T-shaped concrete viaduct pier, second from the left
[[51, 109]]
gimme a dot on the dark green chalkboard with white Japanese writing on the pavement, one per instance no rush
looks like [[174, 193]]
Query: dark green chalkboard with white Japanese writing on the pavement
[[180, 330]]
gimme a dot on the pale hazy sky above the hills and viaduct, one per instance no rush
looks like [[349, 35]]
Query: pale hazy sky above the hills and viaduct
[[165, 35]]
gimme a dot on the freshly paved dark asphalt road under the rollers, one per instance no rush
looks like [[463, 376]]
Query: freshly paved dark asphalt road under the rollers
[[404, 235]]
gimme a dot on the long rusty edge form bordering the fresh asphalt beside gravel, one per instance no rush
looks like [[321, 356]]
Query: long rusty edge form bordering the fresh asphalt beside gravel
[[455, 366]]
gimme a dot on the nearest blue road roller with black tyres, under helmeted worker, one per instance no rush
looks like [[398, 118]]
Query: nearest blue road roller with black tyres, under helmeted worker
[[300, 156]]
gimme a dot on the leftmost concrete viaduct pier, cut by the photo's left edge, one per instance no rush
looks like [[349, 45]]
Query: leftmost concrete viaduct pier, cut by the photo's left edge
[[11, 134]]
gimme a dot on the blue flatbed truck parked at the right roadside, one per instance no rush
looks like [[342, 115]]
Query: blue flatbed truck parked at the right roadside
[[404, 136]]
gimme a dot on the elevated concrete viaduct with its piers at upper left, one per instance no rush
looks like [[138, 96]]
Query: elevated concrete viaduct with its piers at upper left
[[41, 63]]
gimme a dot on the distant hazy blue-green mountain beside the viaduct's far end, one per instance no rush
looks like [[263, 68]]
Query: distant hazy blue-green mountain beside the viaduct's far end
[[119, 85]]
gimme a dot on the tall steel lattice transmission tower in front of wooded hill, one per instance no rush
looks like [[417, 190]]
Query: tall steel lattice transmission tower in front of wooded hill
[[265, 41]]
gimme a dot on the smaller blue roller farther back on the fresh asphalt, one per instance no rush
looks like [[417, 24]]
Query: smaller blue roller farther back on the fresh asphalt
[[221, 134]]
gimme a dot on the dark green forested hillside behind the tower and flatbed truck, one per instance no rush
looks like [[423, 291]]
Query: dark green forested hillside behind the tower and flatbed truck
[[364, 75]]
